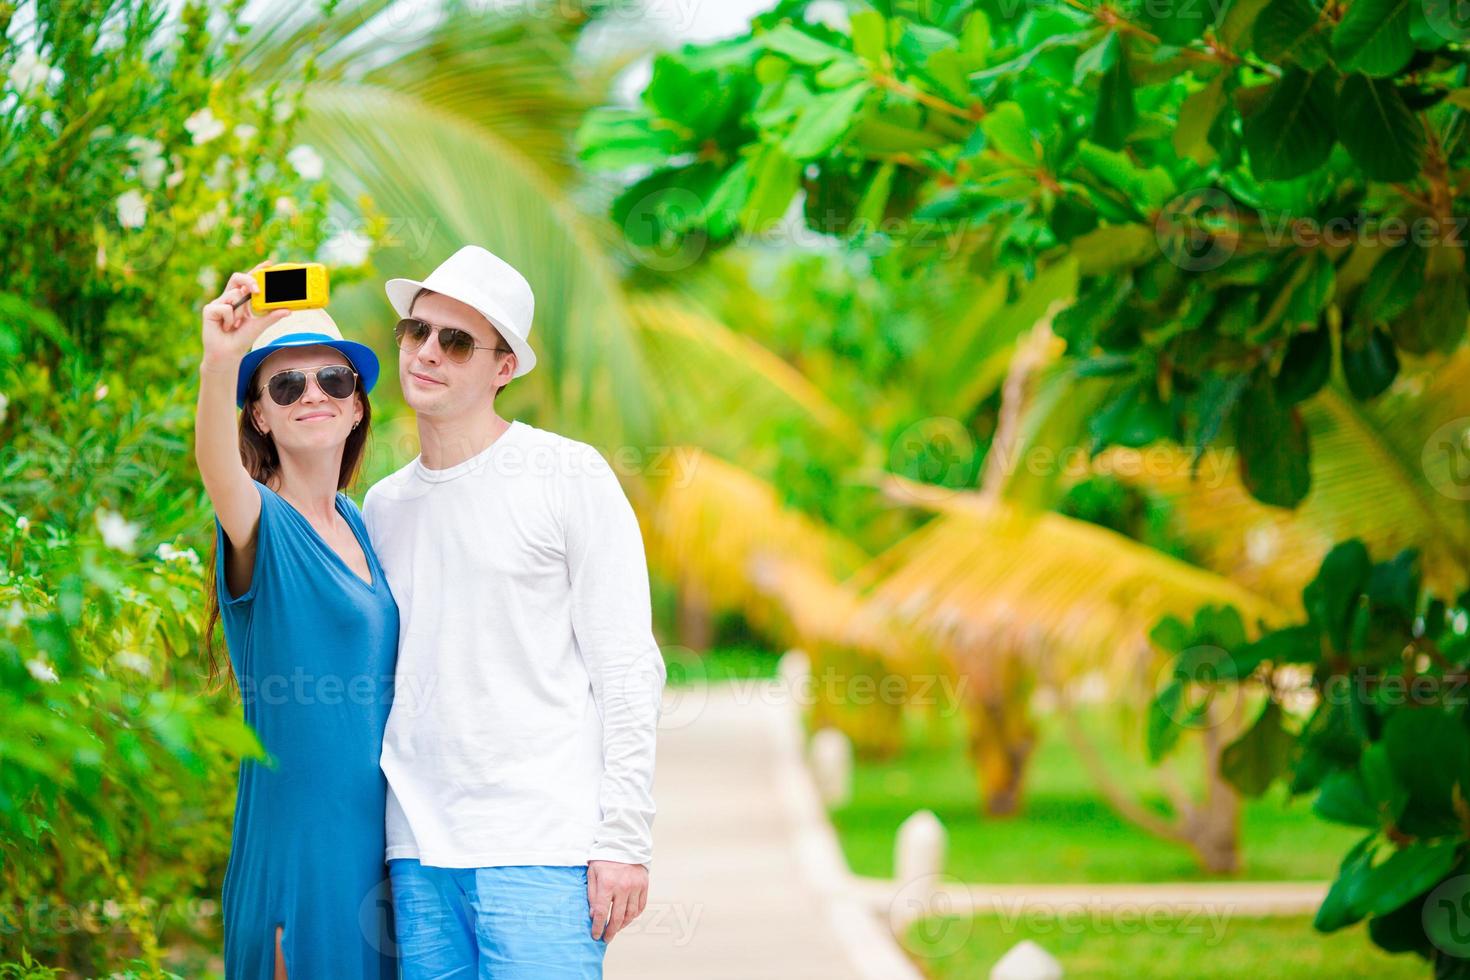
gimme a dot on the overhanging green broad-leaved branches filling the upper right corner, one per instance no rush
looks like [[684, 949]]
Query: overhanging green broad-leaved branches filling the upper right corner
[[1253, 192]]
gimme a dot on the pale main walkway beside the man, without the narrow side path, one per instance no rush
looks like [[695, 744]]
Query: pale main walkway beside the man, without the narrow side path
[[746, 876]]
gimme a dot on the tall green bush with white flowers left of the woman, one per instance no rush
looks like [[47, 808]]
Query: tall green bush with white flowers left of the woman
[[136, 171]]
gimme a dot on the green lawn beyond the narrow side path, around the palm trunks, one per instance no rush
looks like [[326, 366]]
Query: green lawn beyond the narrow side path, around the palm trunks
[[1066, 831]]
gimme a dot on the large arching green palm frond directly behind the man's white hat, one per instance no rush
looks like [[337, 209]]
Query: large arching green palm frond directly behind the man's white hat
[[468, 184]]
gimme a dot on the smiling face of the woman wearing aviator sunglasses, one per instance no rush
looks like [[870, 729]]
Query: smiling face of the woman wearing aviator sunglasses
[[315, 422]]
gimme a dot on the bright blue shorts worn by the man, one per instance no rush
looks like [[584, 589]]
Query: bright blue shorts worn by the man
[[503, 923]]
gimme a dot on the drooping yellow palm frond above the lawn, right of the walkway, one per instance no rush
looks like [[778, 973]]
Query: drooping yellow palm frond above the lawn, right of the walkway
[[989, 581]]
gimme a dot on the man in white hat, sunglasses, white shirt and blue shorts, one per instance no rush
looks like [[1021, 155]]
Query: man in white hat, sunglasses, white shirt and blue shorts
[[520, 749]]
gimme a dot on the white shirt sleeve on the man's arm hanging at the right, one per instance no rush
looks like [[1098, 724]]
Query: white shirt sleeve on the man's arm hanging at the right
[[612, 621]]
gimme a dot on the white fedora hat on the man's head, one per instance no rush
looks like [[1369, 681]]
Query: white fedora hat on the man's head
[[481, 280]]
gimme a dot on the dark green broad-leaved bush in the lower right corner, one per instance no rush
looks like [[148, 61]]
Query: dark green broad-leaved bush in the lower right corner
[[1384, 674]]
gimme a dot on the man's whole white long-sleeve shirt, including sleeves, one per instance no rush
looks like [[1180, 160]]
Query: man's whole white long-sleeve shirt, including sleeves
[[528, 681]]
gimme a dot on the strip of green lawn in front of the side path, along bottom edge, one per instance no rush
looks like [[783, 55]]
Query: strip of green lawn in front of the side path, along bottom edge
[[1161, 948]]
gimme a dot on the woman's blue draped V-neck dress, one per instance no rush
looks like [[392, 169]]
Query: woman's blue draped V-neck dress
[[314, 649]]
